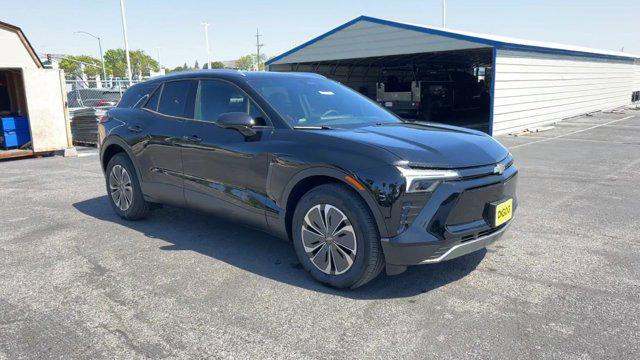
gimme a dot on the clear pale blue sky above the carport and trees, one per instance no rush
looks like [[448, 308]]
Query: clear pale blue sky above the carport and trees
[[174, 26]]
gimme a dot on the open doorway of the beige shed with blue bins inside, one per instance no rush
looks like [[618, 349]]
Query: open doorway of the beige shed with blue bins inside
[[15, 134]]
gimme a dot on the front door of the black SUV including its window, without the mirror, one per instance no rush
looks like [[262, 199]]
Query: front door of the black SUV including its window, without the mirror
[[226, 171]]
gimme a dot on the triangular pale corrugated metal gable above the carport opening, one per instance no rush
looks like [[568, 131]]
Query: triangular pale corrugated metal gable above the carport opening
[[367, 39]]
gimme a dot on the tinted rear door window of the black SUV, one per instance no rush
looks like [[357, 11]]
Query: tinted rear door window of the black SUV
[[177, 98]]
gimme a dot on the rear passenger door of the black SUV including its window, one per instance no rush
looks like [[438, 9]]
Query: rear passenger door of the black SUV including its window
[[158, 150]]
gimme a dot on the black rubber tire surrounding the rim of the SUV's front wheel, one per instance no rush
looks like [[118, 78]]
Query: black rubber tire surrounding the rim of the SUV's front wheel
[[369, 259]]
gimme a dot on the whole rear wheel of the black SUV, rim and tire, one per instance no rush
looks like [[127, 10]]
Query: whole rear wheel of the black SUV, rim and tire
[[123, 189]]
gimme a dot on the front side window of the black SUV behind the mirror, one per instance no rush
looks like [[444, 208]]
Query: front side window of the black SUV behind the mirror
[[219, 97]]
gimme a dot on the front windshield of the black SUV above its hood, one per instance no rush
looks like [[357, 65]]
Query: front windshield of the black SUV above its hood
[[320, 102]]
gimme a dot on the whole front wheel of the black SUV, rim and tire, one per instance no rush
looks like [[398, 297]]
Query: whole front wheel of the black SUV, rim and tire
[[336, 237]]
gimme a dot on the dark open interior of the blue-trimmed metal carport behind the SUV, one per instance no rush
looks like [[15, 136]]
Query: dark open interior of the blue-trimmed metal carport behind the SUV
[[451, 87]]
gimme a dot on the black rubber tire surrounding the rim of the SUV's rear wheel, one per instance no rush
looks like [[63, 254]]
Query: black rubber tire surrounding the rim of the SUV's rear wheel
[[138, 208]]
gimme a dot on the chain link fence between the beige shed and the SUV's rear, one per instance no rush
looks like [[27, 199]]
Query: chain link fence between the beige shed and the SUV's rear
[[96, 93]]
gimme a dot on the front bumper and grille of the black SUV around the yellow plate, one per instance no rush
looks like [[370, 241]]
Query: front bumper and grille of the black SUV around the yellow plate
[[455, 221]]
